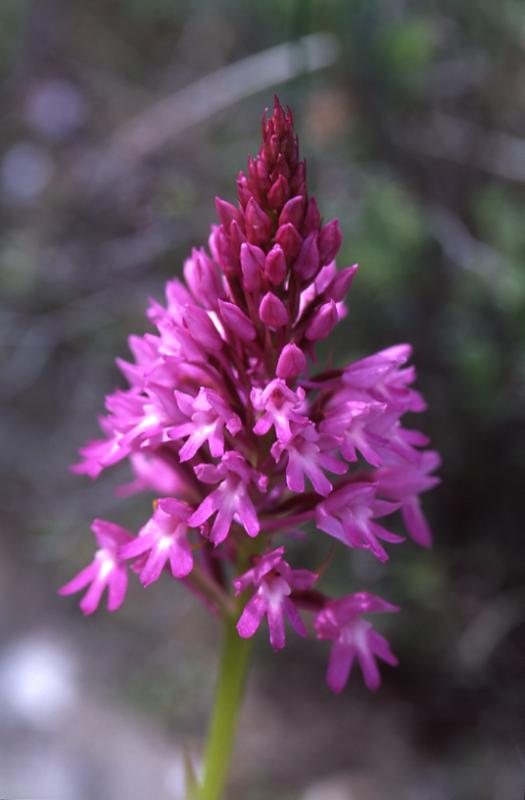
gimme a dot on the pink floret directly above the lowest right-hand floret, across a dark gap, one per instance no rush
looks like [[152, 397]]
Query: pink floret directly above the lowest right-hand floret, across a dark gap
[[349, 515]]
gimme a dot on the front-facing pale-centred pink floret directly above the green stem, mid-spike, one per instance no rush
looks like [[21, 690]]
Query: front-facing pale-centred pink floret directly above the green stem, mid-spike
[[231, 500]]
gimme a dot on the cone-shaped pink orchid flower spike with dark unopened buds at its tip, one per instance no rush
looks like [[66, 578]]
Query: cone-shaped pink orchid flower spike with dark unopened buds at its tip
[[222, 423]]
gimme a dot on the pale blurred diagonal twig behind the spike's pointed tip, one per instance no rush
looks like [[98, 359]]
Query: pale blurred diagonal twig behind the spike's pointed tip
[[158, 124]]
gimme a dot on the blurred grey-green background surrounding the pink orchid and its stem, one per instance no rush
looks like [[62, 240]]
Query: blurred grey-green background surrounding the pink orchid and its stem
[[121, 119]]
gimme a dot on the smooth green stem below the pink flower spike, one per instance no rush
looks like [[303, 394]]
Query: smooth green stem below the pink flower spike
[[229, 693]]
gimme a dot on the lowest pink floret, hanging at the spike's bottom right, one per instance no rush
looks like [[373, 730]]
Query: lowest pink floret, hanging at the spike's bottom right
[[341, 622]]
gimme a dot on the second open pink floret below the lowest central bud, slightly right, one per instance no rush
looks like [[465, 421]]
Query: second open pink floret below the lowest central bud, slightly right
[[308, 454]]
